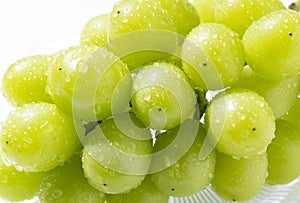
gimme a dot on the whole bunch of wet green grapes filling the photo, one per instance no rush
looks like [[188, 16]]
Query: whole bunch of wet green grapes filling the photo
[[160, 98]]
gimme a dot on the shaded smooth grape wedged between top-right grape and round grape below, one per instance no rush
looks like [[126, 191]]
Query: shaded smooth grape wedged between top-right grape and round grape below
[[280, 95]]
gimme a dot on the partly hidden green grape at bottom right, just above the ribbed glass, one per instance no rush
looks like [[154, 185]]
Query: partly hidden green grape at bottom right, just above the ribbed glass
[[240, 179]]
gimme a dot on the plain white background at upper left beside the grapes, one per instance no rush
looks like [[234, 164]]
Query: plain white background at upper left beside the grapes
[[29, 27]]
